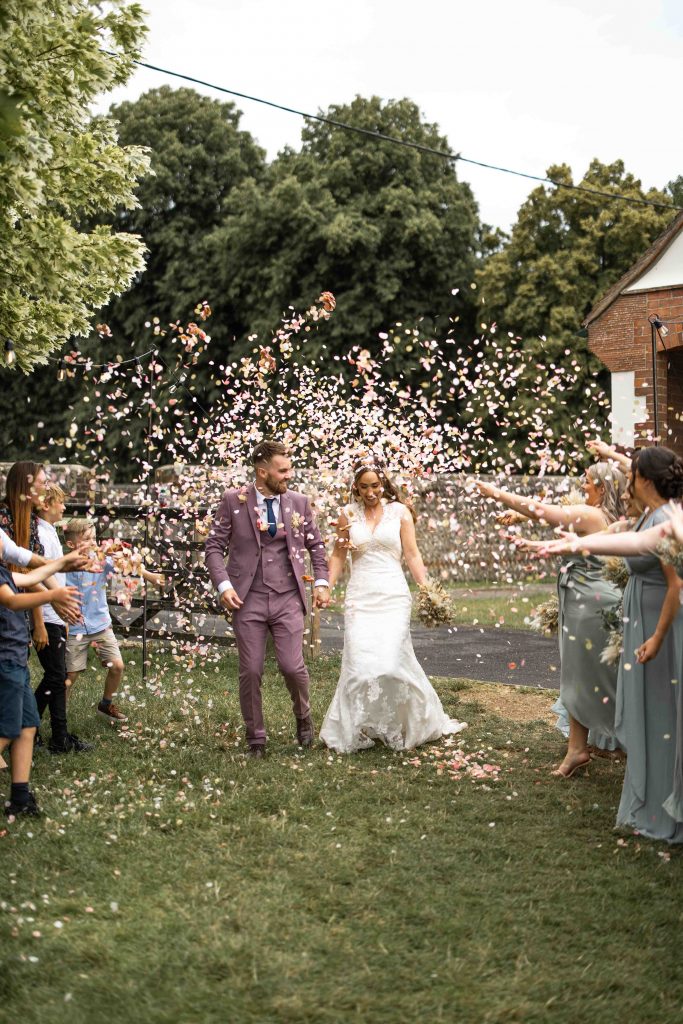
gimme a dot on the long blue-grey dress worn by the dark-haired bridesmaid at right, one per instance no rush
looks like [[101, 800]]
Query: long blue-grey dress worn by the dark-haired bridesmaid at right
[[648, 706]]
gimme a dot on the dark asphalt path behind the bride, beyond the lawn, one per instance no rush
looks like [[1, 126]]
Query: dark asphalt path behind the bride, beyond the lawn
[[513, 657]]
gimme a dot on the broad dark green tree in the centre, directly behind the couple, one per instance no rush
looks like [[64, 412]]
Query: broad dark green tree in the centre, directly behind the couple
[[390, 230]]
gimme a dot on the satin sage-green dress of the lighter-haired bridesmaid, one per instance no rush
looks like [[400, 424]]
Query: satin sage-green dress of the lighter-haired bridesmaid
[[588, 688]]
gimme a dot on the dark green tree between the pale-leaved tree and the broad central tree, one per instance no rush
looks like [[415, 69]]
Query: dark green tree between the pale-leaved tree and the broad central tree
[[199, 156]]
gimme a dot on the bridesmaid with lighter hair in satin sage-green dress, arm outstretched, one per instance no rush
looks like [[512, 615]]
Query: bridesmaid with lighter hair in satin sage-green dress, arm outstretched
[[588, 688]]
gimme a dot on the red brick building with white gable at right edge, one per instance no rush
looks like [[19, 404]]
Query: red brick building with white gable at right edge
[[620, 333]]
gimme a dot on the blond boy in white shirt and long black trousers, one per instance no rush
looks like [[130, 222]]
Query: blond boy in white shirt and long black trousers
[[53, 631]]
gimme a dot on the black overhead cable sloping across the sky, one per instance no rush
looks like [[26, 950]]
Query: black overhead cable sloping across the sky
[[444, 154]]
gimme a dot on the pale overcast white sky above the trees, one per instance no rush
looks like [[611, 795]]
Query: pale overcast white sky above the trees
[[521, 84]]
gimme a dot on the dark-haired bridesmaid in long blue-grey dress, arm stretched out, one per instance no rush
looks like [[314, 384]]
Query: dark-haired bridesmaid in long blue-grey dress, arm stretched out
[[650, 702]]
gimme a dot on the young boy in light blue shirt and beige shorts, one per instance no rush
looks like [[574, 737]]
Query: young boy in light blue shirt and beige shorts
[[96, 627]]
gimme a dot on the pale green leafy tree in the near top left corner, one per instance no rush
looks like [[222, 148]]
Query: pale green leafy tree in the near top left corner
[[59, 166]]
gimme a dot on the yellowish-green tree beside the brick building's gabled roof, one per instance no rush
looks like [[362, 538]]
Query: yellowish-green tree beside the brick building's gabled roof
[[566, 250]]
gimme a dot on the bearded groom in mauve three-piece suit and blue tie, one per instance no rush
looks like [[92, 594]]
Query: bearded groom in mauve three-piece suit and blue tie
[[266, 530]]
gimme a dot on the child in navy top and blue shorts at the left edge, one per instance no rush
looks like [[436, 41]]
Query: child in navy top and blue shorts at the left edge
[[19, 715]]
